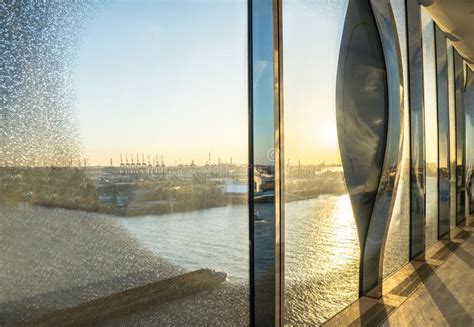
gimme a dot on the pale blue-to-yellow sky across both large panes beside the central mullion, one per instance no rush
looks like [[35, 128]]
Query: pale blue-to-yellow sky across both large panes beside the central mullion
[[170, 78]]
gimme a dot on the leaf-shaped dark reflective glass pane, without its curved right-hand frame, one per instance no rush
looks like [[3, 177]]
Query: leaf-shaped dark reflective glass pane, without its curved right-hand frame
[[361, 111]]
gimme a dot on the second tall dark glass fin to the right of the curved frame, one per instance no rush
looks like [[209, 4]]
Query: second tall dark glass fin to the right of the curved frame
[[443, 132]]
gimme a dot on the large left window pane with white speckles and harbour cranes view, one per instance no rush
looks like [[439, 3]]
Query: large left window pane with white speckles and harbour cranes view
[[119, 165]]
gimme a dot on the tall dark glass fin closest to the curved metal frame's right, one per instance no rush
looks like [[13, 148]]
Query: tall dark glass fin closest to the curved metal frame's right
[[417, 168]]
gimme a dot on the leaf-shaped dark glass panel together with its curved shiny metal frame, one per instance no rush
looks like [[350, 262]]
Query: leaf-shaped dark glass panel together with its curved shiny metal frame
[[369, 107]]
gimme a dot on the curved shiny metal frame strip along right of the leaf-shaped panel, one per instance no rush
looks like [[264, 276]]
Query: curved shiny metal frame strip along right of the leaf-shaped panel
[[380, 221]]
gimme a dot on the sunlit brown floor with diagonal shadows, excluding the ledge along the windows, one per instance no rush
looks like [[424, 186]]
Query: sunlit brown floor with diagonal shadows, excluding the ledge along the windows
[[446, 298]]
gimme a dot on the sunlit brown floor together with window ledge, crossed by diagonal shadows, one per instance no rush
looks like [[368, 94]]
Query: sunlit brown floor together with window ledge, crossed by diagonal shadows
[[438, 291]]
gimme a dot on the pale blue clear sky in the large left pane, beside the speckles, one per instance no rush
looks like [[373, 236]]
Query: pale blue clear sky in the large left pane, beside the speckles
[[164, 77]]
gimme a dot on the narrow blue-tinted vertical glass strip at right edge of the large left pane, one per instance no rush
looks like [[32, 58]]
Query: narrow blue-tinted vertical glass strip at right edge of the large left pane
[[263, 154]]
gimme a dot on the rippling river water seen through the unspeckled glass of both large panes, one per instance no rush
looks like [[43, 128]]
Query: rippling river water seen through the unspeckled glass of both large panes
[[321, 258]]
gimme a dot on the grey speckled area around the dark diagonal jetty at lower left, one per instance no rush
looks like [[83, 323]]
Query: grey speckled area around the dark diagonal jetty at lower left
[[54, 259]]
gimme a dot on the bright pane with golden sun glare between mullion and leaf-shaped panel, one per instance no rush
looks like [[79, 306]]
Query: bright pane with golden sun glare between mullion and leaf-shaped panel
[[321, 244]]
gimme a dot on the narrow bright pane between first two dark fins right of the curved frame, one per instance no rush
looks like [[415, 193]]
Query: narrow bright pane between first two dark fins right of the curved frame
[[431, 123]]
